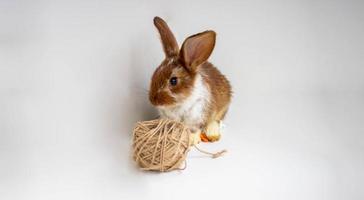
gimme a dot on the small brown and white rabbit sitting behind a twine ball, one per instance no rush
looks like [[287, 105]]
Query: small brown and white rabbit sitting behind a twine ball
[[186, 87]]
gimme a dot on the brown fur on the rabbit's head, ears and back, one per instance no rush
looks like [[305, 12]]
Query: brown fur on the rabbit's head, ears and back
[[185, 65]]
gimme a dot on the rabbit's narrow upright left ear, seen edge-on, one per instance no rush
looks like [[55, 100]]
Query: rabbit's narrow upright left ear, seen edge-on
[[169, 42]]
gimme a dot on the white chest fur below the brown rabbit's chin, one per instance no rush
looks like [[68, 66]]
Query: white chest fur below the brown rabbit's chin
[[191, 111]]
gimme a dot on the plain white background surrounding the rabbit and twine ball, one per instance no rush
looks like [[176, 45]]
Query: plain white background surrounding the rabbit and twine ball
[[74, 77]]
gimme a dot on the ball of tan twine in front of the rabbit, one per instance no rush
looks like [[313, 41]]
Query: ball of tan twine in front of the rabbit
[[161, 144]]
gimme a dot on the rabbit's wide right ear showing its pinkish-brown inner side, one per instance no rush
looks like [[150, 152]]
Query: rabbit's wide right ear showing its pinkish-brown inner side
[[196, 49]]
